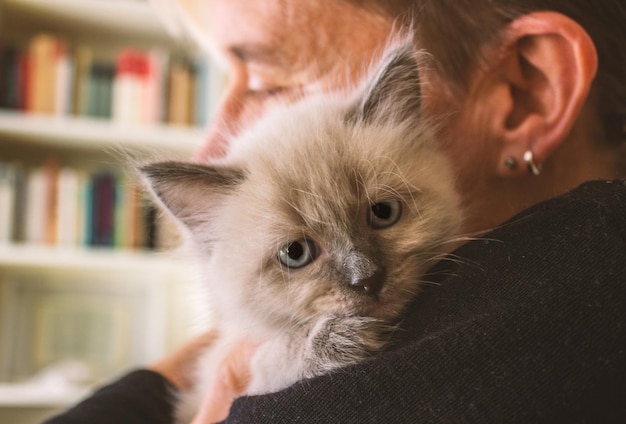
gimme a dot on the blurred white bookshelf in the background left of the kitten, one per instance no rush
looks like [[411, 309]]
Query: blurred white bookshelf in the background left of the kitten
[[95, 310]]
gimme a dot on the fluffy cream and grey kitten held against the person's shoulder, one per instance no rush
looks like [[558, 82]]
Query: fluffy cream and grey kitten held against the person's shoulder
[[313, 171]]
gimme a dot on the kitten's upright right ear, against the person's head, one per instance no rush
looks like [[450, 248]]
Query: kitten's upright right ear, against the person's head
[[393, 90]]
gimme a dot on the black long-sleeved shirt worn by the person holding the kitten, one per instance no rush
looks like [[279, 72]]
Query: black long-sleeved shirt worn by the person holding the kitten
[[524, 325]]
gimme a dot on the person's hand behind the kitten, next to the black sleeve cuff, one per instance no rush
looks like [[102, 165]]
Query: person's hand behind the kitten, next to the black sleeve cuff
[[175, 367]]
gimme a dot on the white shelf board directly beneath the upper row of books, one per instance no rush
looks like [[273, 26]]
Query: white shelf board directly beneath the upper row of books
[[85, 133]]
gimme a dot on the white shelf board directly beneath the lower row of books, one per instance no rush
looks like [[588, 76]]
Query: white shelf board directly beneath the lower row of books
[[47, 257]]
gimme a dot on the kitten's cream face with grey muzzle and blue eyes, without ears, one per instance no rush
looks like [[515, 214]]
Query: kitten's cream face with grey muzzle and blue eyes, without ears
[[338, 219]]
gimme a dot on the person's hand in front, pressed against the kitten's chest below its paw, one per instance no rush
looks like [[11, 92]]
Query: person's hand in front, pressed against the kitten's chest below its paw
[[232, 380]]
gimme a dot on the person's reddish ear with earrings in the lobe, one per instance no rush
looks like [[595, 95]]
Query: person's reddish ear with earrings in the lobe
[[544, 81]]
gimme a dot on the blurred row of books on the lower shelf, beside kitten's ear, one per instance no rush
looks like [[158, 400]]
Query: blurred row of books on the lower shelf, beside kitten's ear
[[62, 206]]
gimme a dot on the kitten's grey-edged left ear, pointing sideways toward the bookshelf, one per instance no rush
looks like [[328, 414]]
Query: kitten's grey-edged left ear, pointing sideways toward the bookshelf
[[190, 191]]
